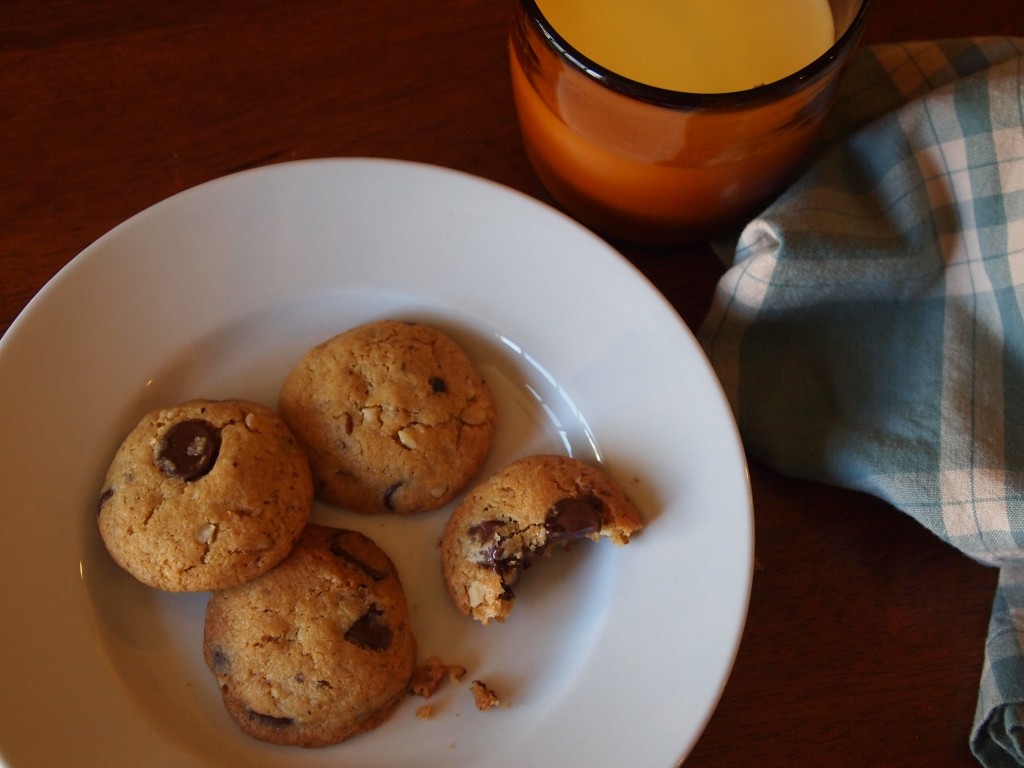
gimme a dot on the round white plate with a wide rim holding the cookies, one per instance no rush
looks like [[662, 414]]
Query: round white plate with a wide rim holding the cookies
[[613, 656]]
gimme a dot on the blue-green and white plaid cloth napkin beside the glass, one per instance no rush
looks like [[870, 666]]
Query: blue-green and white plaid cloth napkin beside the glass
[[869, 330]]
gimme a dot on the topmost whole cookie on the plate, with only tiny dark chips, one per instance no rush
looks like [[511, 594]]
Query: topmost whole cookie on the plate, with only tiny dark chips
[[395, 417]]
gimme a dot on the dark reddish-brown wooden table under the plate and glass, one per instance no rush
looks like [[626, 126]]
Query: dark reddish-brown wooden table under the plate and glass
[[865, 642]]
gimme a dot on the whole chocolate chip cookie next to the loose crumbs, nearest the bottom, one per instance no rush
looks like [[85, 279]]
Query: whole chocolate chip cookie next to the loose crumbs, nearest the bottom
[[317, 651]]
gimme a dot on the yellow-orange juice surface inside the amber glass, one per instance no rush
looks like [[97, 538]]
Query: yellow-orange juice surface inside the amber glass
[[700, 47]]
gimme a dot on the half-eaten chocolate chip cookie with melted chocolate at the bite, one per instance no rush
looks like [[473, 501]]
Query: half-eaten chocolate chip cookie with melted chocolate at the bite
[[520, 514]]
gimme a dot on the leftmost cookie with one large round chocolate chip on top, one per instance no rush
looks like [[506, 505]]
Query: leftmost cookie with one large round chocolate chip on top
[[205, 495]]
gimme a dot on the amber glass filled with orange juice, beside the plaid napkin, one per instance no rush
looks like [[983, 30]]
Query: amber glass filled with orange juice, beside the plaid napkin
[[673, 121]]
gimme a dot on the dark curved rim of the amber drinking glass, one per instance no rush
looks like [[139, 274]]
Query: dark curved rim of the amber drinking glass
[[687, 100]]
